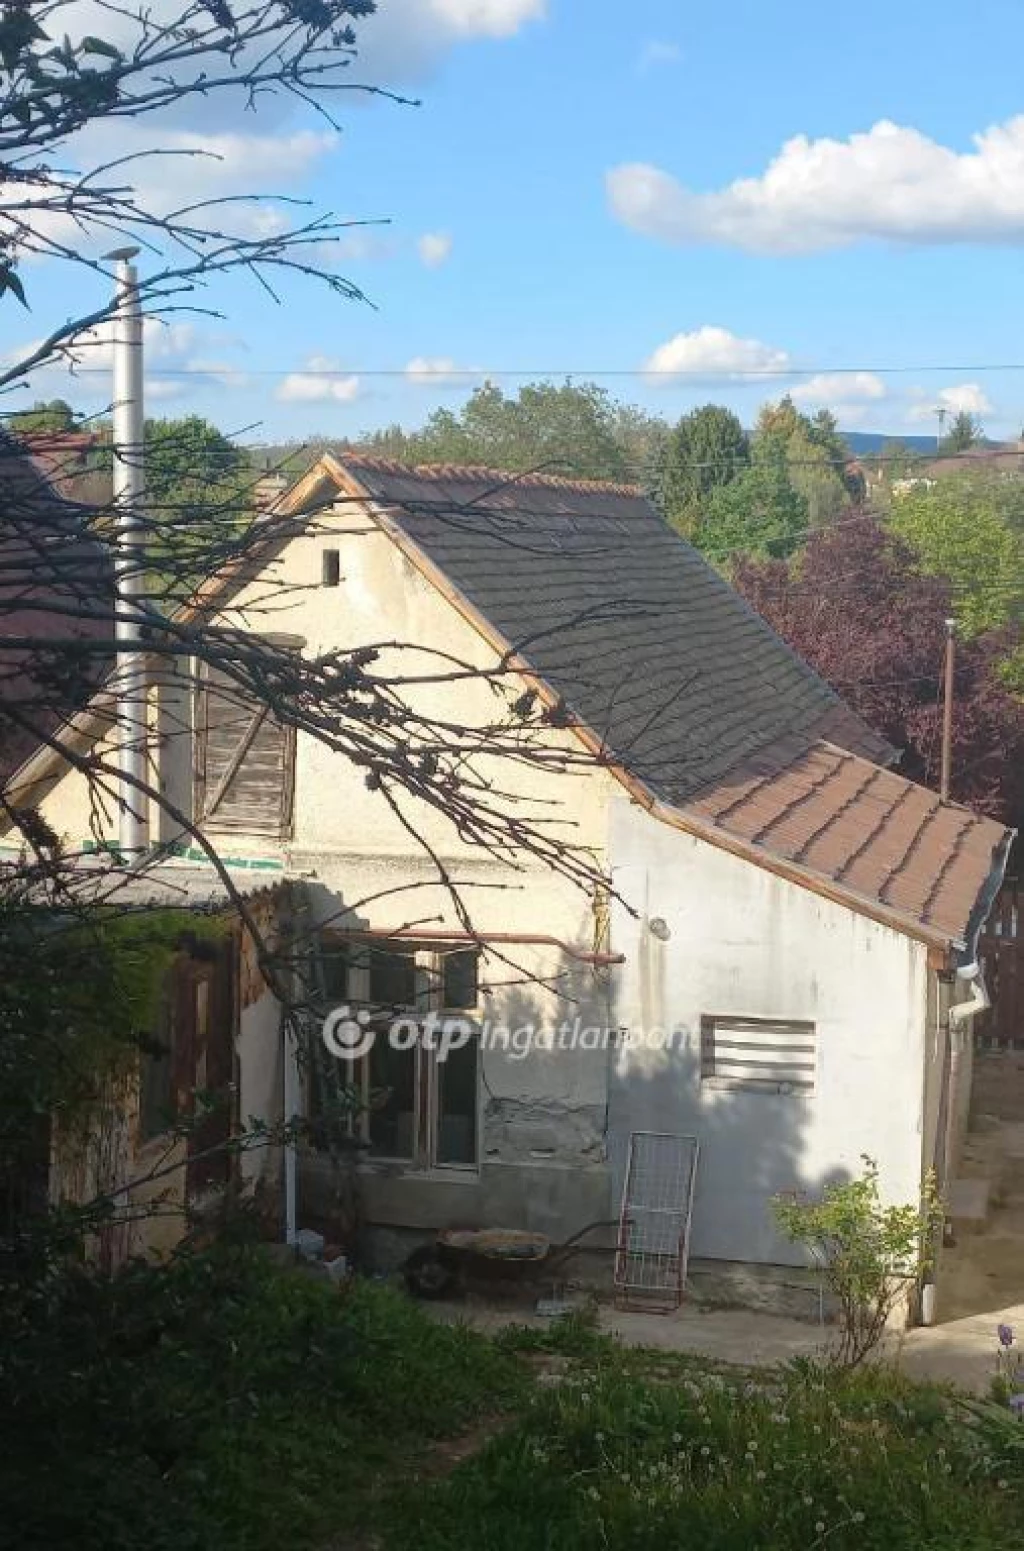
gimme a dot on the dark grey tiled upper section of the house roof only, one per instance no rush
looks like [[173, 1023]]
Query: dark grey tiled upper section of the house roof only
[[646, 644]]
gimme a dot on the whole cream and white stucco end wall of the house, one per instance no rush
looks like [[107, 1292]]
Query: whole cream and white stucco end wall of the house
[[742, 942]]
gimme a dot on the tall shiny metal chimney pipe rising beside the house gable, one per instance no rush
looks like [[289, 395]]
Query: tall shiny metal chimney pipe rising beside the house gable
[[130, 478]]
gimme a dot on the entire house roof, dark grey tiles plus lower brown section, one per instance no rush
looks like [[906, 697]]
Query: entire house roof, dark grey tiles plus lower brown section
[[690, 689]]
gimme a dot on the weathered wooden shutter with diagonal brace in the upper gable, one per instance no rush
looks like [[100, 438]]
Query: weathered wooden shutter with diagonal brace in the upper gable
[[244, 761]]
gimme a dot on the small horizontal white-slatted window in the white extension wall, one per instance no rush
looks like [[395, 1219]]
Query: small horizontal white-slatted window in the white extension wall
[[758, 1054]]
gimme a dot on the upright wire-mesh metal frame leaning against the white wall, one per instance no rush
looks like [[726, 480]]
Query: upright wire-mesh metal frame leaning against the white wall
[[657, 1200]]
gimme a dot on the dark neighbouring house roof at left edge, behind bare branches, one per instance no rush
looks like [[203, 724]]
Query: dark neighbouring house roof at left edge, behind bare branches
[[55, 601]]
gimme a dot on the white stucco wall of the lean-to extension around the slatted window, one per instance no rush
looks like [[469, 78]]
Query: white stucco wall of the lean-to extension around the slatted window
[[749, 944]]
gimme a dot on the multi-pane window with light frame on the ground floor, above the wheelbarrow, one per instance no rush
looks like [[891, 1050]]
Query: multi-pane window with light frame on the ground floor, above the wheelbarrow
[[420, 1105]]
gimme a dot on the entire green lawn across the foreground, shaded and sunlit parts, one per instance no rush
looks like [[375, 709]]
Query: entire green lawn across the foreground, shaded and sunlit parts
[[226, 1406]]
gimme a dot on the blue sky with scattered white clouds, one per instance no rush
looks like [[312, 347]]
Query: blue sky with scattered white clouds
[[566, 201]]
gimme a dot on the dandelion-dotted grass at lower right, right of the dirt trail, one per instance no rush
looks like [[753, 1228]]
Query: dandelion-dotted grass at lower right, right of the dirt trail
[[624, 1459]]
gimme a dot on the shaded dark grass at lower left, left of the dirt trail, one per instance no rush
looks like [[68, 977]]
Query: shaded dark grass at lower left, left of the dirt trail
[[227, 1406]]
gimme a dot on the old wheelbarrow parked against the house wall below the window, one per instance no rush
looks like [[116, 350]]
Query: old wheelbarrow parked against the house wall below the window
[[438, 1269]]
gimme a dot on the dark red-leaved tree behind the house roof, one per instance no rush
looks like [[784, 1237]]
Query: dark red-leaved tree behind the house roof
[[857, 609]]
